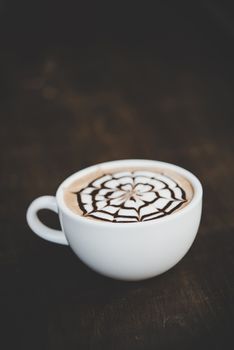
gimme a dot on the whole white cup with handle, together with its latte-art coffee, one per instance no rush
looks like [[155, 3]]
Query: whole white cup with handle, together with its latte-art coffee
[[141, 247]]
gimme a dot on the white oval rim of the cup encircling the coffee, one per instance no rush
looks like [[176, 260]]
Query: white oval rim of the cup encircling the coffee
[[196, 184]]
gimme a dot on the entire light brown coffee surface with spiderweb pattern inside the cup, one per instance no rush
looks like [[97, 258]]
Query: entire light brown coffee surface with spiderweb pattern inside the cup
[[129, 194]]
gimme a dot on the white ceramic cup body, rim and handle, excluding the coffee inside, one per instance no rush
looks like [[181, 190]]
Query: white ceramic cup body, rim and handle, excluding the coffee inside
[[127, 251]]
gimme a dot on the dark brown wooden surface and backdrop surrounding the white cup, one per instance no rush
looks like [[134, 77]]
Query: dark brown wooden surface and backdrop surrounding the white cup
[[86, 82]]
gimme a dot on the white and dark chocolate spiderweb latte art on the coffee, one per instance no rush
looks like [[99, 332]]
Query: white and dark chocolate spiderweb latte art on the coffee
[[130, 196]]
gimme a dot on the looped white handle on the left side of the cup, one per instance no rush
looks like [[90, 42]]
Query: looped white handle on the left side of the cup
[[52, 235]]
